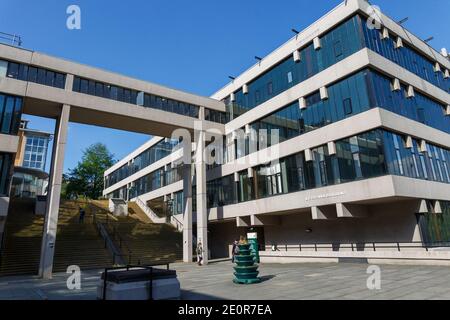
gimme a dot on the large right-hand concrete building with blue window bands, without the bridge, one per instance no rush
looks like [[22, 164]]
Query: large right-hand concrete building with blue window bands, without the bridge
[[362, 114]]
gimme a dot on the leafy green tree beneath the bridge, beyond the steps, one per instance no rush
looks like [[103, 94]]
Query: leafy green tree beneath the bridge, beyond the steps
[[86, 179]]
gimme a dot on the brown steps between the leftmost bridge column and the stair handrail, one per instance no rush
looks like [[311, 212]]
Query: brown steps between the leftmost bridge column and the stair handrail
[[78, 243]]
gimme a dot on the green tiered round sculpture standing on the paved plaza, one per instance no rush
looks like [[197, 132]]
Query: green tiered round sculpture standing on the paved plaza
[[246, 271]]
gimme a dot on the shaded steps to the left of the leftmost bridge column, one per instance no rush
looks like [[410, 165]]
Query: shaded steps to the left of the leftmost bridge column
[[21, 248]]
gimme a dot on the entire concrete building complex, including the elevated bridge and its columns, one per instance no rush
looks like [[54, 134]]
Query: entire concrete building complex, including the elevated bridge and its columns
[[355, 152]]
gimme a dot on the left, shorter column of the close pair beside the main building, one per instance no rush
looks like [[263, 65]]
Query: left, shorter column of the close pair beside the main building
[[187, 218]]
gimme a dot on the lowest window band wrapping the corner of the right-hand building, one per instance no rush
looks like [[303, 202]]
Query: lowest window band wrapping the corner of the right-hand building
[[367, 155]]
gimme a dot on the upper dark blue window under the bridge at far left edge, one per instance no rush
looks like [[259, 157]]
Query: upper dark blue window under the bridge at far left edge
[[10, 114]]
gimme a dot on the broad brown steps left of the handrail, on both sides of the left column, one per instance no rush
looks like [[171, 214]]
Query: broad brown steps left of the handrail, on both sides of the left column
[[76, 243]]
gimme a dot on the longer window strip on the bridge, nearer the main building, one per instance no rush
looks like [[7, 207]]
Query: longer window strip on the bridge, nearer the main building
[[121, 94]]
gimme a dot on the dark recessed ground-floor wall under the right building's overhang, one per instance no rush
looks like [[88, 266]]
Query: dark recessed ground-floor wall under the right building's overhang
[[385, 222]]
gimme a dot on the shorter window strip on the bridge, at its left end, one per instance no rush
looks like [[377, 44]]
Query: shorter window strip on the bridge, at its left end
[[42, 76]]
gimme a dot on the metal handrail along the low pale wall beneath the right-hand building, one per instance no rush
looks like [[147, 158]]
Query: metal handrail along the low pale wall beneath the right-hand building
[[355, 245]]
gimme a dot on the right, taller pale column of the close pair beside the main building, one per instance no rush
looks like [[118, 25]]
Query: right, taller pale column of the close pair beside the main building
[[202, 211]]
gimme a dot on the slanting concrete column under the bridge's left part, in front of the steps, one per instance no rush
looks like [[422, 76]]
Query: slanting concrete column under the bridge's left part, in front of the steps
[[54, 194]]
